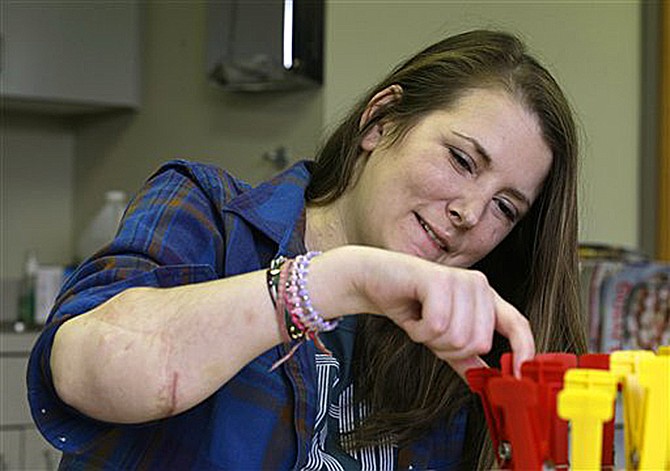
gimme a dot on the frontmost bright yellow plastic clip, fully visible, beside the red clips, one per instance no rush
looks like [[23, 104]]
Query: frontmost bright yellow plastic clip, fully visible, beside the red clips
[[587, 401]]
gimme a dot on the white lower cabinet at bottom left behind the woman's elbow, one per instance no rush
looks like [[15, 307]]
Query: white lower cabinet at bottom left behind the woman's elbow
[[21, 445]]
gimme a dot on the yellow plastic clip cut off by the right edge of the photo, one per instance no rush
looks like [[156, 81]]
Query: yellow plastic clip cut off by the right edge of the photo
[[654, 378]]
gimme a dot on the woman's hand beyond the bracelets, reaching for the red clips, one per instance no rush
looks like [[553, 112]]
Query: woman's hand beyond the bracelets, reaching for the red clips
[[453, 311]]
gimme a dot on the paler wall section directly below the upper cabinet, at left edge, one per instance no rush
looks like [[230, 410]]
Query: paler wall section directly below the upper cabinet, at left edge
[[37, 157]]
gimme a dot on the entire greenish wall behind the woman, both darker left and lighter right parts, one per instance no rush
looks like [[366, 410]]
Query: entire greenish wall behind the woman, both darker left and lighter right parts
[[53, 179]]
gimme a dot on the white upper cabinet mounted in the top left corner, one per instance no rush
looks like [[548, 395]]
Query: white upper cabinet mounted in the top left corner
[[69, 56]]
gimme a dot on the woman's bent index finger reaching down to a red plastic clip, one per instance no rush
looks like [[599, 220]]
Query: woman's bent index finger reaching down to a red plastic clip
[[515, 327]]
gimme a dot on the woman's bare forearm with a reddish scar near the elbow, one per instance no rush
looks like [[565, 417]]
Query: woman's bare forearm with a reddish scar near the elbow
[[149, 353]]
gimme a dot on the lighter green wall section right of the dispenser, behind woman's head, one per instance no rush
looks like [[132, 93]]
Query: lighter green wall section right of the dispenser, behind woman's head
[[593, 48]]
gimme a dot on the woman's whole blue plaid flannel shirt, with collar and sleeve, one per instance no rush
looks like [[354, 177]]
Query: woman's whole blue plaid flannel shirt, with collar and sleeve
[[192, 223]]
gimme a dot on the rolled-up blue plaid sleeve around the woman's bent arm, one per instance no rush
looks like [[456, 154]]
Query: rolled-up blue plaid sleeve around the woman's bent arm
[[171, 235]]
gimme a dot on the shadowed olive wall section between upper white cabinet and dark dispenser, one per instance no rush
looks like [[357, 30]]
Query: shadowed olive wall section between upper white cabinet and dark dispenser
[[183, 115]]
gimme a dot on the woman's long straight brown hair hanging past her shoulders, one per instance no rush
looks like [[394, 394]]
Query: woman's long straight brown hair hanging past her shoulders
[[535, 268]]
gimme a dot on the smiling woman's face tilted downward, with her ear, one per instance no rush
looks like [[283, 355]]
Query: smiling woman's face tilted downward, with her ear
[[455, 185]]
